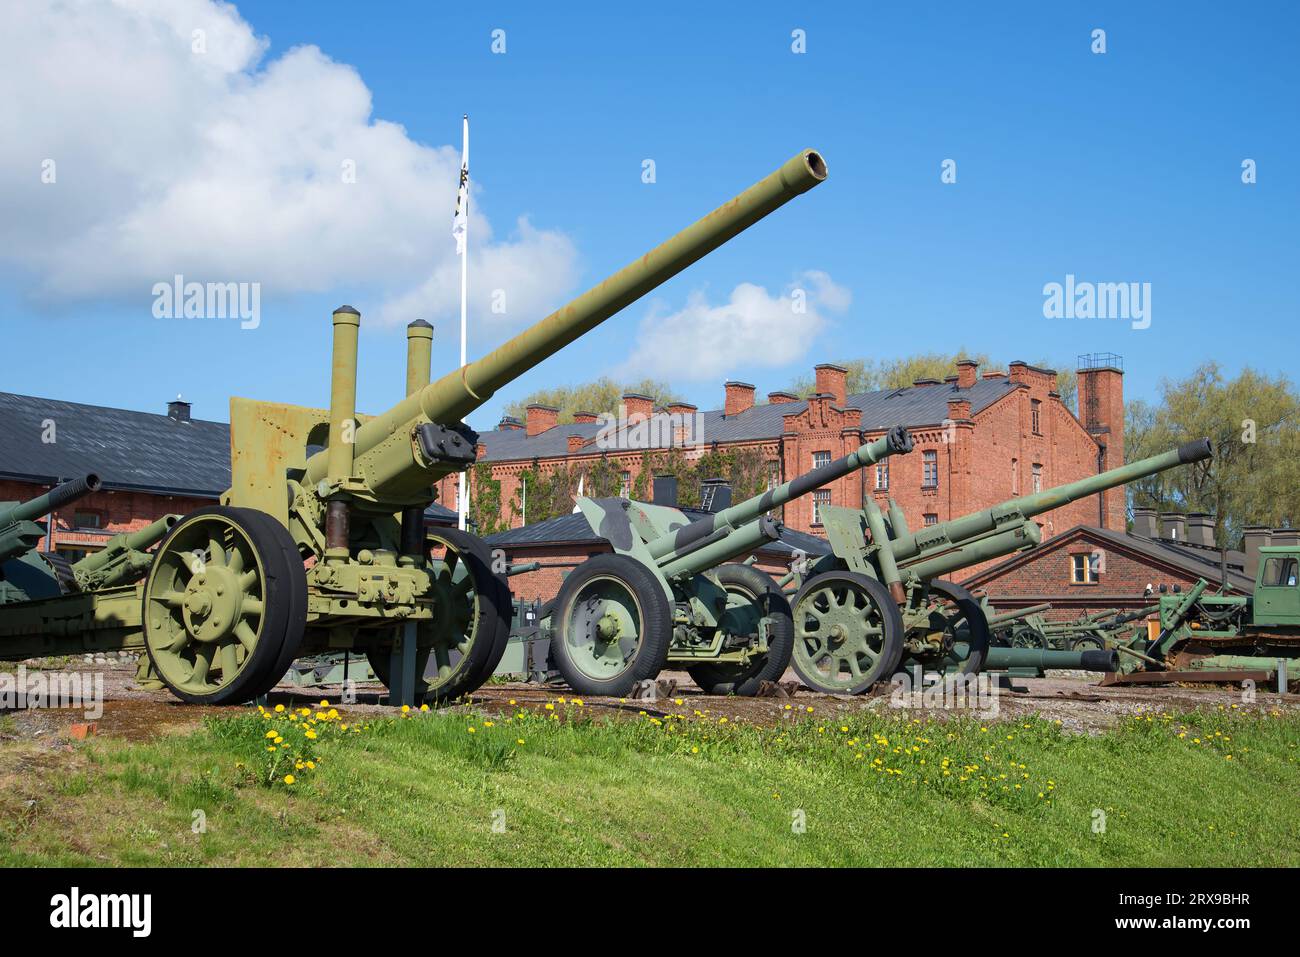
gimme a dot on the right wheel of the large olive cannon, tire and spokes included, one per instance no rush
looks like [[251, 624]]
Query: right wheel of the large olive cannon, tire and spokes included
[[471, 626]]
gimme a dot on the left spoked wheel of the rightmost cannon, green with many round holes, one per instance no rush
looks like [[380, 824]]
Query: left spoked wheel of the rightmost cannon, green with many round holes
[[848, 634]]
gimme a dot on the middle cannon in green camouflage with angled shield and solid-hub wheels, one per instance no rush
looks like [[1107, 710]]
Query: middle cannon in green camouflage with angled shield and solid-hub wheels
[[673, 594]]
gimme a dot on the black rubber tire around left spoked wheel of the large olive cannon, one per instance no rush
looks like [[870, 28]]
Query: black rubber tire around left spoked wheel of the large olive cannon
[[279, 600]]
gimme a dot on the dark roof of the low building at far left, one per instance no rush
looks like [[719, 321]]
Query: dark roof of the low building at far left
[[128, 451]]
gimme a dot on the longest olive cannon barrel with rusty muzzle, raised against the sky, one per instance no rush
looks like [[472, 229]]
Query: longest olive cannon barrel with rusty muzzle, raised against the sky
[[456, 396]]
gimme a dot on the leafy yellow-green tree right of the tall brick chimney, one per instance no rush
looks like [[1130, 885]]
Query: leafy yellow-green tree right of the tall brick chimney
[[1254, 422]]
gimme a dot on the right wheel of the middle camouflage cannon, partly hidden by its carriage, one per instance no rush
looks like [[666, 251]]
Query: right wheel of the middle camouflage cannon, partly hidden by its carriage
[[752, 599]]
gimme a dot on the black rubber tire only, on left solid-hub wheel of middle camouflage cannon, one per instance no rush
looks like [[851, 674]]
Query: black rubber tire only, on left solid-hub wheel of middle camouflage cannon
[[652, 655]]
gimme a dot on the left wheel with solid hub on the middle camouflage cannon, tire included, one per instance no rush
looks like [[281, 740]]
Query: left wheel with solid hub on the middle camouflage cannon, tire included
[[612, 626]]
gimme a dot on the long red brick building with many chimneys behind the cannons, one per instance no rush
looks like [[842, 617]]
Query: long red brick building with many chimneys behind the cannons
[[980, 440]]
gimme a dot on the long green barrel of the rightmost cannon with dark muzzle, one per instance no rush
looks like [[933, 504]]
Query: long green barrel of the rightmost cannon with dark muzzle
[[1019, 509]]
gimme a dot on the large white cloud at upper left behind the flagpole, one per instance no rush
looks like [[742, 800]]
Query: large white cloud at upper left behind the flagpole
[[222, 167]]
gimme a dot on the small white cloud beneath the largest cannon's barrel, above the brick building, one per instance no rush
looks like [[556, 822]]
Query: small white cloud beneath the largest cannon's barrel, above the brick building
[[700, 341]]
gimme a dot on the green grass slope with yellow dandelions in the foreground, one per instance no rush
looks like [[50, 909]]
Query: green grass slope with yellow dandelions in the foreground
[[428, 791]]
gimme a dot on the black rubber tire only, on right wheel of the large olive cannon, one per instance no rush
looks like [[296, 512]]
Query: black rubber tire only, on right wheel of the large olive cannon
[[496, 614]]
